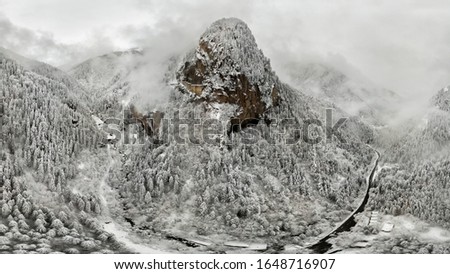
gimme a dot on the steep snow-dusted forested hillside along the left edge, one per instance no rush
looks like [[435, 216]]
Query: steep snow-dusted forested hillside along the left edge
[[44, 130]]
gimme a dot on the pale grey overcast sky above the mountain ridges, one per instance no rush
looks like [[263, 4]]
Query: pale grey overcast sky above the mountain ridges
[[401, 45]]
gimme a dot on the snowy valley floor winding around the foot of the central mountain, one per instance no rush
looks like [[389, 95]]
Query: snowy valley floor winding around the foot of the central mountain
[[96, 171]]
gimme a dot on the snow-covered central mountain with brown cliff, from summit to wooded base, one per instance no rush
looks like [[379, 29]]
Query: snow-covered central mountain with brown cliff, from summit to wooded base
[[241, 182]]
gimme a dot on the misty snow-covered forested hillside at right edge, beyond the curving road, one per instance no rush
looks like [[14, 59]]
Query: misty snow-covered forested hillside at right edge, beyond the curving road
[[416, 174]]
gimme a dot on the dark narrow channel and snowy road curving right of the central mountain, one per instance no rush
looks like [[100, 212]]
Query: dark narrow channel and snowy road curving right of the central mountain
[[322, 245]]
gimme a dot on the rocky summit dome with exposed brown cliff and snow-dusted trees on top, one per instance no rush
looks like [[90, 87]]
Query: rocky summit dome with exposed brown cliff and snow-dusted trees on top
[[228, 67]]
